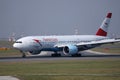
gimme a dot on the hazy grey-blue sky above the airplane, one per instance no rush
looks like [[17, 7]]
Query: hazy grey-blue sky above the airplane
[[56, 17]]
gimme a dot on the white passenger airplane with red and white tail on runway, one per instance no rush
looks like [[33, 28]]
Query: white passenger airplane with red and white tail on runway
[[68, 44]]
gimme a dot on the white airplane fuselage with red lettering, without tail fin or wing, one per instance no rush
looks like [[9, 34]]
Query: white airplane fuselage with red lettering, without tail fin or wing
[[49, 43]]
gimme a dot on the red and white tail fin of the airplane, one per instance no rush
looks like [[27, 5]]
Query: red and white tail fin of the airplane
[[102, 31]]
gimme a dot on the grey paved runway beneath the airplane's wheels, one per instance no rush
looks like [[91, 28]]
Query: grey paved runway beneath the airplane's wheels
[[88, 55]]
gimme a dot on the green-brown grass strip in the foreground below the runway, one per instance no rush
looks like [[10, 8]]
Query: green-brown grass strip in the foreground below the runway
[[63, 69]]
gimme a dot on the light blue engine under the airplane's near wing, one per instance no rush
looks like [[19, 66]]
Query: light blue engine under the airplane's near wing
[[70, 49]]
